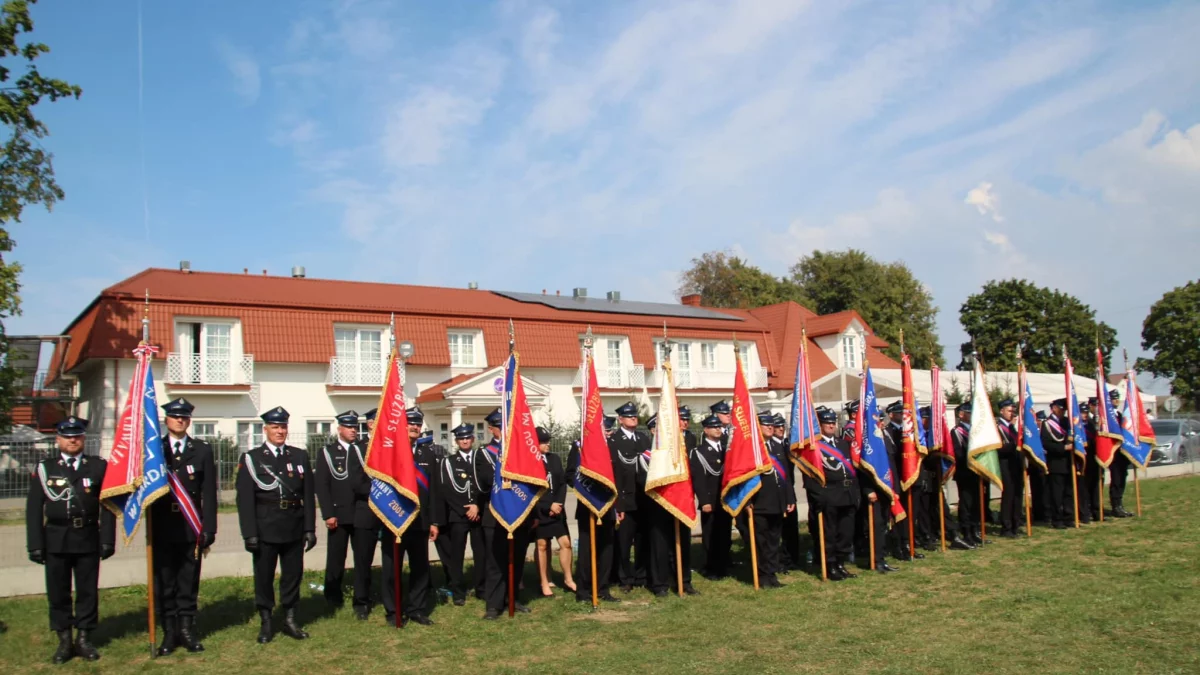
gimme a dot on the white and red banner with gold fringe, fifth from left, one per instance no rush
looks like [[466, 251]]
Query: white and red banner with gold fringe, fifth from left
[[668, 481]]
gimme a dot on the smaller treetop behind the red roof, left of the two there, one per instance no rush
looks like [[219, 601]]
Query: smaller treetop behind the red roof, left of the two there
[[728, 282]]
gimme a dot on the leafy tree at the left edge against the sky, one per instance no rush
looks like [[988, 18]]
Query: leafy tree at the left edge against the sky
[[27, 174]]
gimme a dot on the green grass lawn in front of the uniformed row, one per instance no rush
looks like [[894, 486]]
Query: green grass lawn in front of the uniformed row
[[1119, 598]]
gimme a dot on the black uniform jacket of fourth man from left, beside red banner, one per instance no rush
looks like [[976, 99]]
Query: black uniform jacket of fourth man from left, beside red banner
[[349, 499]]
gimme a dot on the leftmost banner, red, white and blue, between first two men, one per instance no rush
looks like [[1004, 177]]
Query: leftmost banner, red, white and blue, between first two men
[[137, 471]]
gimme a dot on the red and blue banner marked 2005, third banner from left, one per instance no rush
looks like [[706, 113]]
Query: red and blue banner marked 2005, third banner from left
[[520, 475]]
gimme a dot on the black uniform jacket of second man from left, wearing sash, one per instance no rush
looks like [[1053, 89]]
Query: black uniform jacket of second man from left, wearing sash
[[199, 474]]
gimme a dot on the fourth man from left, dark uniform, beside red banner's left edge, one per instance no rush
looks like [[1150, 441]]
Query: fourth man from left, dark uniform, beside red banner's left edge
[[344, 491]]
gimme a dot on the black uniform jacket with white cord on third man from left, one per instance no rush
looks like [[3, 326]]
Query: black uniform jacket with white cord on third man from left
[[275, 495]]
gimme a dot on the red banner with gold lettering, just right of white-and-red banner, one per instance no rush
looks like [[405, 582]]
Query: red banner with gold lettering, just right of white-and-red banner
[[746, 459]]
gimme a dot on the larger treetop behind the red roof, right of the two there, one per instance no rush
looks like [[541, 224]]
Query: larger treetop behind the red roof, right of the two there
[[887, 296]]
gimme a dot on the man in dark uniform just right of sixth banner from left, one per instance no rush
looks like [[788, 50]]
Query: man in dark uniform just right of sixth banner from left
[[773, 500]]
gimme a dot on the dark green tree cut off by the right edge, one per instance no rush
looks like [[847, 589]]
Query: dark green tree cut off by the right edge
[[1173, 332]]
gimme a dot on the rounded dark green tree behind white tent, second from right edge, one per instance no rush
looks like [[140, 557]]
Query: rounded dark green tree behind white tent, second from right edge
[[1011, 313]]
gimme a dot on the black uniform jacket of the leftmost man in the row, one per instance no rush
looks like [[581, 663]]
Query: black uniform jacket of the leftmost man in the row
[[63, 512]]
